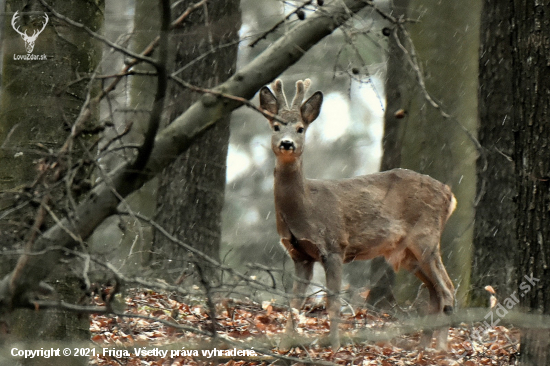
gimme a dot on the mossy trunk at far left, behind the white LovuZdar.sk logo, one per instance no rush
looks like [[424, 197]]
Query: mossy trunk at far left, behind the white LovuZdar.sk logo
[[38, 106]]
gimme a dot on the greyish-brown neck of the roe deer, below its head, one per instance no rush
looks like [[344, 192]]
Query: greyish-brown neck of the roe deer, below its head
[[291, 192]]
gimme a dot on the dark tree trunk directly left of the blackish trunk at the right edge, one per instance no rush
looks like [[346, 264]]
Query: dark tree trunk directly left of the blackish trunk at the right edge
[[494, 229]]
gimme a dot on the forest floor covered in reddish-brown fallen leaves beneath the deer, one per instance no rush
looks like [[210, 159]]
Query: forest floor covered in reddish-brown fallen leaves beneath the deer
[[144, 336]]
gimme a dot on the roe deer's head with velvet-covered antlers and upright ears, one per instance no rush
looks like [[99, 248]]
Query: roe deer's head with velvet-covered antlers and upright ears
[[289, 129]]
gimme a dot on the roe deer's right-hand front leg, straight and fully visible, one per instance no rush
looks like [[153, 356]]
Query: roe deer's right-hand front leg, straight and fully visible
[[332, 263]]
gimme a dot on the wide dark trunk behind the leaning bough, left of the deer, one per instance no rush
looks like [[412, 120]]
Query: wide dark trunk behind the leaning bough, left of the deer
[[191, 190]]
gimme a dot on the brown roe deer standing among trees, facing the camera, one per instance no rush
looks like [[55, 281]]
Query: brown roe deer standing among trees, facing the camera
[[398, 214]]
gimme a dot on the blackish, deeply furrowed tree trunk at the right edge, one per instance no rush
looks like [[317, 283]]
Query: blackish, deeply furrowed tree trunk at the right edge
[[531, 83]]
